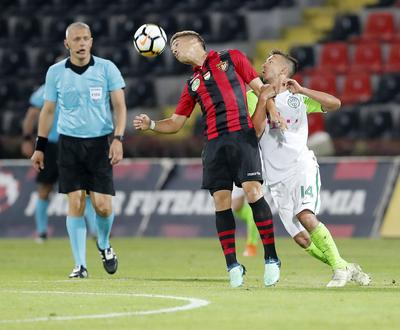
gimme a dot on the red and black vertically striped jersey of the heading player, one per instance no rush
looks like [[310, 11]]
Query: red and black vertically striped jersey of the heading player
[[219, 86]]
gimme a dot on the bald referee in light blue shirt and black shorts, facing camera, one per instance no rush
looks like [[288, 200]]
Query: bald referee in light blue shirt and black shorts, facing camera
[[82, 86]]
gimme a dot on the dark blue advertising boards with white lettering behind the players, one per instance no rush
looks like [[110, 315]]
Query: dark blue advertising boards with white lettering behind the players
[[162, 197]]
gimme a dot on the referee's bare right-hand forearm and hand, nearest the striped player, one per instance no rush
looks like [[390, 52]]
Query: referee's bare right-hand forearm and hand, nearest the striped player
[[118, 101]]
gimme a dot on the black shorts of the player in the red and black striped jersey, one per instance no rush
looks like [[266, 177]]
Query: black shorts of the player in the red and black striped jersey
[[233, 157]]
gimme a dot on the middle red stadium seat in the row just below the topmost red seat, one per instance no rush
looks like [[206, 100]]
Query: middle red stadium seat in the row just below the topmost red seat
[[367, 57]]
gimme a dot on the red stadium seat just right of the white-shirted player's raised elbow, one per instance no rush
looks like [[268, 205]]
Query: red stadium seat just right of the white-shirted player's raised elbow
[[357, 88]]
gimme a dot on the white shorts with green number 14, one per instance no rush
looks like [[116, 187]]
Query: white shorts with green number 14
[[297, 193]]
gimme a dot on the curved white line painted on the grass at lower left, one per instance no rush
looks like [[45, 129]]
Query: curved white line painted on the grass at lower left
[[193, 303]]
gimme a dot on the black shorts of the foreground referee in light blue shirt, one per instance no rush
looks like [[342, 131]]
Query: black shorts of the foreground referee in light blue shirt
[[84, 165]]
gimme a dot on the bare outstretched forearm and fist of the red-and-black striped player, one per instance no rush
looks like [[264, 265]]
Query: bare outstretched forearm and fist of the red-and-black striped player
[[169, 125]]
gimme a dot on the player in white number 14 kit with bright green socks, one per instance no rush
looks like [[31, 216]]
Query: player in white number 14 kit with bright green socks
[[291, 169]]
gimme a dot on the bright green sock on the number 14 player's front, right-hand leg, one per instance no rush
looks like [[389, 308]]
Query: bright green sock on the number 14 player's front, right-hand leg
[[323, 240]]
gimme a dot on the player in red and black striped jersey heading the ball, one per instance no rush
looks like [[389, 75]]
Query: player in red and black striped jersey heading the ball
[[231, 154]]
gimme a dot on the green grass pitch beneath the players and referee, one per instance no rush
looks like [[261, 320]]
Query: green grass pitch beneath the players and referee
[[35, 292]]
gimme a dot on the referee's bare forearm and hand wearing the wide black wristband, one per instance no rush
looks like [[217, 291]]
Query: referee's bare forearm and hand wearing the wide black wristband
[[45, 122]]
